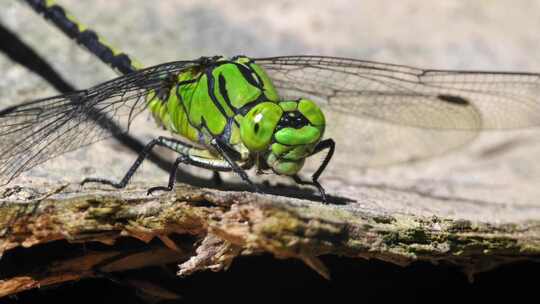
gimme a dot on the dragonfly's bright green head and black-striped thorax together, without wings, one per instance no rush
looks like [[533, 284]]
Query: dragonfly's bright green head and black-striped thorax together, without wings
[[206, 103]]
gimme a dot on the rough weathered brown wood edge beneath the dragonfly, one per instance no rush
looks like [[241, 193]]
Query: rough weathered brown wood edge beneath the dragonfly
[[229, 224]]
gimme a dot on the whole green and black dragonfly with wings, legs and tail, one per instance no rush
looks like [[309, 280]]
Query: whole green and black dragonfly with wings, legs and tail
[[272, 113]]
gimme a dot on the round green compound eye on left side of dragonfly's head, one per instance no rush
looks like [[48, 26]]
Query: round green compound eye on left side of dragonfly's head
[[258, 126]]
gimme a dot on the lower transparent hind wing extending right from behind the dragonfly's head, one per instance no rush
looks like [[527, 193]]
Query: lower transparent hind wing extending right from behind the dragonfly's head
[[367, 142]]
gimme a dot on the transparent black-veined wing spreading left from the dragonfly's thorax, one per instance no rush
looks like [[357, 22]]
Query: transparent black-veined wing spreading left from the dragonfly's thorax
[[34, 132]]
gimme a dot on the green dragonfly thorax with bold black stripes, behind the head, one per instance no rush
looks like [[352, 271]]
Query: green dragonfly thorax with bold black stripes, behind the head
[[205, 102]]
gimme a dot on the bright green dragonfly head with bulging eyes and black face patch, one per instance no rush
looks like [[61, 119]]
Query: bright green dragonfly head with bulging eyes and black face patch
[[284, 133]]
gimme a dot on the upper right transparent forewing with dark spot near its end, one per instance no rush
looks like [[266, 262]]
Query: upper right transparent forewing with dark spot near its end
[[501, 100]]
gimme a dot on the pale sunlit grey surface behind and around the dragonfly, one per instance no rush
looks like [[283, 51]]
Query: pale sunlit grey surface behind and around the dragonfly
[[497, 188]]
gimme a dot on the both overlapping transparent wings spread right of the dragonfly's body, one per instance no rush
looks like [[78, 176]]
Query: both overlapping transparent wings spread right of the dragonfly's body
[[400, 113]]
